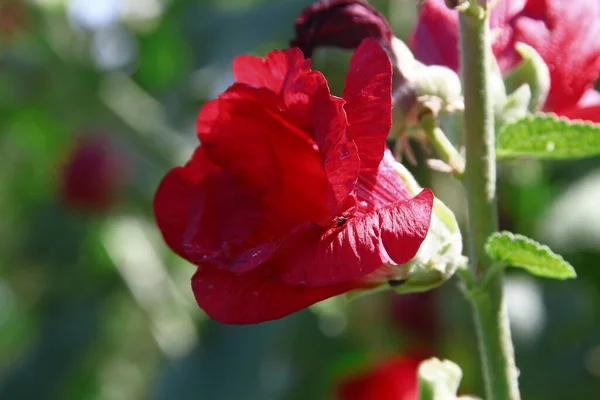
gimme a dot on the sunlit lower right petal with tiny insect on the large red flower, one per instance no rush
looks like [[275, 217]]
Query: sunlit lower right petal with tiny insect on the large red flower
[[390, 234]]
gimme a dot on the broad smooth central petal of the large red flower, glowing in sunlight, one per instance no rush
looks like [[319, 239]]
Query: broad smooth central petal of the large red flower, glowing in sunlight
[[248, 133]]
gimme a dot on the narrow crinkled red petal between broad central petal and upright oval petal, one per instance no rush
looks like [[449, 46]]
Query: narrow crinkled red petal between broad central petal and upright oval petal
[[339, 154]]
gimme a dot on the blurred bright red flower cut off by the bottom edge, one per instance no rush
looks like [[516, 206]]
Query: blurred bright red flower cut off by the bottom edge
[[394, 379]]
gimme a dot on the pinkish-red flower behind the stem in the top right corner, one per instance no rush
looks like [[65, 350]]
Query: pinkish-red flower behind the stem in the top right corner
[[564, 33]]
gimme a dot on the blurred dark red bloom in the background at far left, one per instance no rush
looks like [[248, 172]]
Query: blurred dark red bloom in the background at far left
[[93, 175]]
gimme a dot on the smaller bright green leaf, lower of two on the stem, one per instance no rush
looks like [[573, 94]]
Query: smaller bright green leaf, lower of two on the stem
[[523, 252]]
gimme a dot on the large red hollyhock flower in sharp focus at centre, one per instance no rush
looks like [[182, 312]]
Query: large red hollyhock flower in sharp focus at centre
[[290, 199]]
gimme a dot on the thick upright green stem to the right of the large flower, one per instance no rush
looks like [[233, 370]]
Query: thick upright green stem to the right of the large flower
[[491, 321]]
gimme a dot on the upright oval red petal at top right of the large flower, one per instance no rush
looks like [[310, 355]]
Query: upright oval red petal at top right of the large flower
[[368, 96]]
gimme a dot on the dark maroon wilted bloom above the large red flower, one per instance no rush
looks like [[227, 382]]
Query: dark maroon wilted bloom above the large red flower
[[340, 23]]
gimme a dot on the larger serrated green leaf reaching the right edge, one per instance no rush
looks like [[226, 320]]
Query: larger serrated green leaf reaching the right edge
[[547, 136]]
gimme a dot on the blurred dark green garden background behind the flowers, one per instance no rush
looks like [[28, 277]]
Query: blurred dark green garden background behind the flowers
[[98, 99]]
